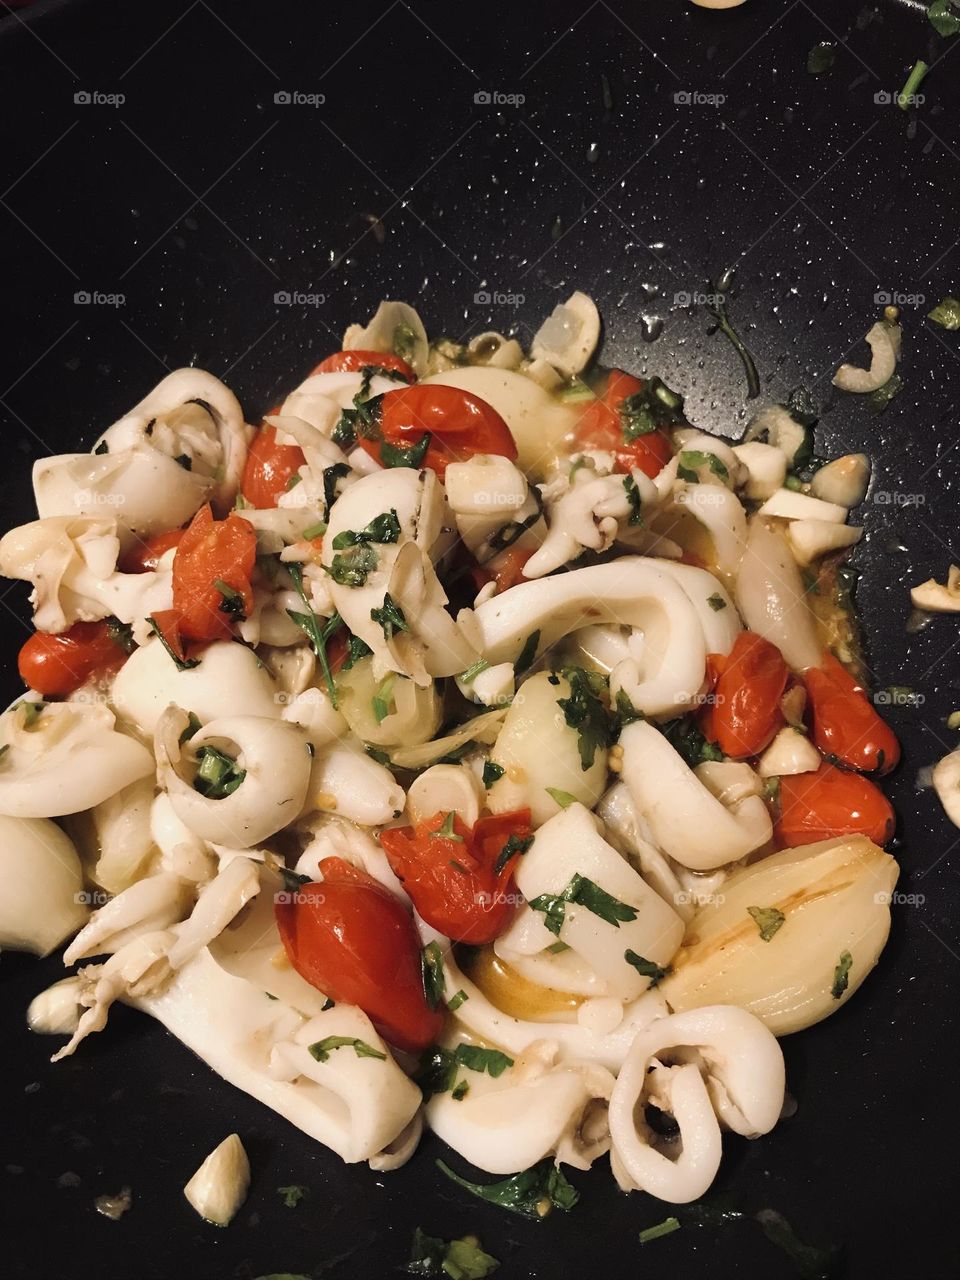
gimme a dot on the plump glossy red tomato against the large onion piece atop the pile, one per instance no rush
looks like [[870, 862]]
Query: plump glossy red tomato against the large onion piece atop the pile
[[460, 426]]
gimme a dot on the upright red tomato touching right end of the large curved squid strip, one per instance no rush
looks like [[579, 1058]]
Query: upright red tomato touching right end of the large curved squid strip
[[746, 711]]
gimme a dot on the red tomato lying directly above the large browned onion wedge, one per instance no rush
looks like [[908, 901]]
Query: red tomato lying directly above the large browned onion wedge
[[833, 803]]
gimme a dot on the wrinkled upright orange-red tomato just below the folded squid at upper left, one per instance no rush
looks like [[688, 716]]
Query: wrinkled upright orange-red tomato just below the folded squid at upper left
[[213, 550]]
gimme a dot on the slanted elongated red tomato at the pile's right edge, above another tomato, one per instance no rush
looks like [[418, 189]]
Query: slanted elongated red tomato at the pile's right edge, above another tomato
[[844, 724]]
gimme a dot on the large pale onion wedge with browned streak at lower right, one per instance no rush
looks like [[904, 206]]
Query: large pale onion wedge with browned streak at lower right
[[835, 902]]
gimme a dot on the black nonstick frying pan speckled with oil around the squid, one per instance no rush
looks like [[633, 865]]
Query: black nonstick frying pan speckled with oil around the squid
[[199, 199]]
